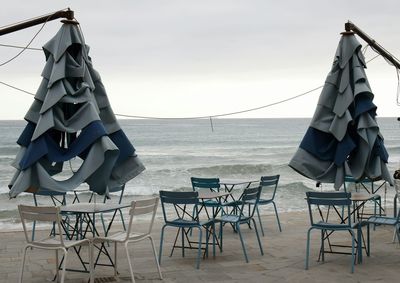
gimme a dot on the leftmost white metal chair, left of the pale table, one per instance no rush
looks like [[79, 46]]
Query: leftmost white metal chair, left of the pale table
[[56, 242]]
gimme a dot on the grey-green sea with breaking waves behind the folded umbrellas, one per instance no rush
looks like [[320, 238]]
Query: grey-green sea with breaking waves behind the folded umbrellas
[[175, 150]]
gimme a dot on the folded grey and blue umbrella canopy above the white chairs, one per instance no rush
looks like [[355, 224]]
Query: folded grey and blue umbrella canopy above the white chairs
[[71, 118]]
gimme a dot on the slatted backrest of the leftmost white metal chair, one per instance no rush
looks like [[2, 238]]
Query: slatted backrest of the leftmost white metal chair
[[41, 214]]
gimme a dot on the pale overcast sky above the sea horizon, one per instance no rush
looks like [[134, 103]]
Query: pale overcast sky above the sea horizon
[[187, 58]]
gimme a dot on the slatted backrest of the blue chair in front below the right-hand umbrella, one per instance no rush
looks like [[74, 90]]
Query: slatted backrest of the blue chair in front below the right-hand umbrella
[[333, 207]]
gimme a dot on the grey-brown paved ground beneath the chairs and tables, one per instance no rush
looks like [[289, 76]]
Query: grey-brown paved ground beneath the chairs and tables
[[283, 260]]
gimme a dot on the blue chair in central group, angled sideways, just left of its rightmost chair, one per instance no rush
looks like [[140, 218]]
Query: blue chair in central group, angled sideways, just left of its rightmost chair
[[245, 212]]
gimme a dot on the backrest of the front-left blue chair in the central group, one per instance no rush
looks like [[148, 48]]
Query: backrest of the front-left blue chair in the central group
[[183, 205]]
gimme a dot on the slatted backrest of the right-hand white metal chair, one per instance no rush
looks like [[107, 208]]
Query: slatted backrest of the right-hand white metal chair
[[141, 208]]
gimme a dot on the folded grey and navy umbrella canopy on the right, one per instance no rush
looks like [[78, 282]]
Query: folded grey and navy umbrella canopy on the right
[[343, 137]]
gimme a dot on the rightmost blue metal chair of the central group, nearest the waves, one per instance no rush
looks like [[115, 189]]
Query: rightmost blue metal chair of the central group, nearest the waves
[[269, 184]]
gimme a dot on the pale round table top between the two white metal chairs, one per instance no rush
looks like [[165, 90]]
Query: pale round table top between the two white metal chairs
[[91, 207]]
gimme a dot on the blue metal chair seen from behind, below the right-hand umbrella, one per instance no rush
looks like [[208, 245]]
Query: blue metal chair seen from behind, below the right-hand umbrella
[[339, 204]]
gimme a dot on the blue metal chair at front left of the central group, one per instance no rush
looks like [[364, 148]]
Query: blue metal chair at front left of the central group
[[184, 206]]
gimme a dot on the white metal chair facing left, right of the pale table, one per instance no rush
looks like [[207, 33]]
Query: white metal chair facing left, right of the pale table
[[139, 207]]
